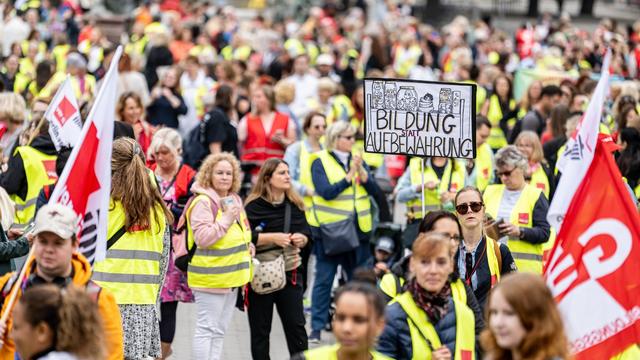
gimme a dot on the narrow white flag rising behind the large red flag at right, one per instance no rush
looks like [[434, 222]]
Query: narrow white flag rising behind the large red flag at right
[[577, 157]]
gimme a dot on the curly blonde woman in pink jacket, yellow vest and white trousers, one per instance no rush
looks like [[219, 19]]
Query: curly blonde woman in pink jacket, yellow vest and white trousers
[[219, 241]]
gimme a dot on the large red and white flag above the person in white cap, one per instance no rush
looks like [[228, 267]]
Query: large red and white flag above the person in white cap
[[85, 183]]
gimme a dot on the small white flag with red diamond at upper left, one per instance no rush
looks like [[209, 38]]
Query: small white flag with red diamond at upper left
[[65, 126]]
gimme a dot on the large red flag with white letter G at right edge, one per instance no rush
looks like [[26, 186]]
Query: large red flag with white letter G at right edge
[[593, 272]]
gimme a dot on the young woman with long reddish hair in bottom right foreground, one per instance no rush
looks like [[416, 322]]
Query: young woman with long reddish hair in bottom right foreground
[[523, 321]]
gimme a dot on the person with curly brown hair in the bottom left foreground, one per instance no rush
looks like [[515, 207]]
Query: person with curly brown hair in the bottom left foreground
[[54, 323]]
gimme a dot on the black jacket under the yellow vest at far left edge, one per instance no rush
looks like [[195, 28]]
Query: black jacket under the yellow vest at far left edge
[[14, 180]]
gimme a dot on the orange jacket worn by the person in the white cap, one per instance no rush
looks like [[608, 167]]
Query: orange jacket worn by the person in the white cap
[[81, 275]]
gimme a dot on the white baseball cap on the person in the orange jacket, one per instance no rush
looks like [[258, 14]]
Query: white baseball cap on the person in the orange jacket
[[57, 219]]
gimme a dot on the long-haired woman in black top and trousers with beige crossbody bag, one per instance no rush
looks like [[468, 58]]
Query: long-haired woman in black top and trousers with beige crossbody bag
[[279, 229]]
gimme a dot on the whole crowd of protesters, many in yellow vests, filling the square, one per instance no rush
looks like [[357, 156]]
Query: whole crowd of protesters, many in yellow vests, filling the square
[[239, 181]]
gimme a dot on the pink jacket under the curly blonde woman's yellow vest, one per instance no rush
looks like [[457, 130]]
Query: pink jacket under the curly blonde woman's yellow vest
[[206, 230]]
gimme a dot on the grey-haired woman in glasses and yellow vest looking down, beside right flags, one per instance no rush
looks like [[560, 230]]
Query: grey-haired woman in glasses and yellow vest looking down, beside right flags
[[520, 210]]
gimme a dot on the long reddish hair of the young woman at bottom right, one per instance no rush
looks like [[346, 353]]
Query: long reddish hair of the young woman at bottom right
[[532, 302]]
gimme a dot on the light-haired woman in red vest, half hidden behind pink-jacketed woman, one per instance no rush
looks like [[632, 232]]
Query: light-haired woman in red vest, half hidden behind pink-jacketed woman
[[174, 179]]
